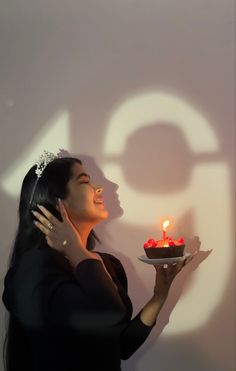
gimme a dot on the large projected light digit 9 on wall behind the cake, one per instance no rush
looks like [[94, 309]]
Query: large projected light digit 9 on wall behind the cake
[[206, 194]]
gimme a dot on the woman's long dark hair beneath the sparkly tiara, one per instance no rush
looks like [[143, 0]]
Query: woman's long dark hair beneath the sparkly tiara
[[50, 186]]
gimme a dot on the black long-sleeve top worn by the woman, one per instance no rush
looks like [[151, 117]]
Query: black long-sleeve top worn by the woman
[[70, 319]]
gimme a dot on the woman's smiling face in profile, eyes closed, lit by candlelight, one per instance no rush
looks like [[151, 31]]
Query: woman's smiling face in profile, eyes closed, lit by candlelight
[[84, 202]]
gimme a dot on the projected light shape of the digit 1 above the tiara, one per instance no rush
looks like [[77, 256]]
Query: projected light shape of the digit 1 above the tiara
[[55, 134]]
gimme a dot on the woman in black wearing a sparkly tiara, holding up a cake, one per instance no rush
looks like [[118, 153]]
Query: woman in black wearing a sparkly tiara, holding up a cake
[[69, 308]]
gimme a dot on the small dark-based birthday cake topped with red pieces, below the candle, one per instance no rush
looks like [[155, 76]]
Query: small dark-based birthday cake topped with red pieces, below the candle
[[168, 248]]
